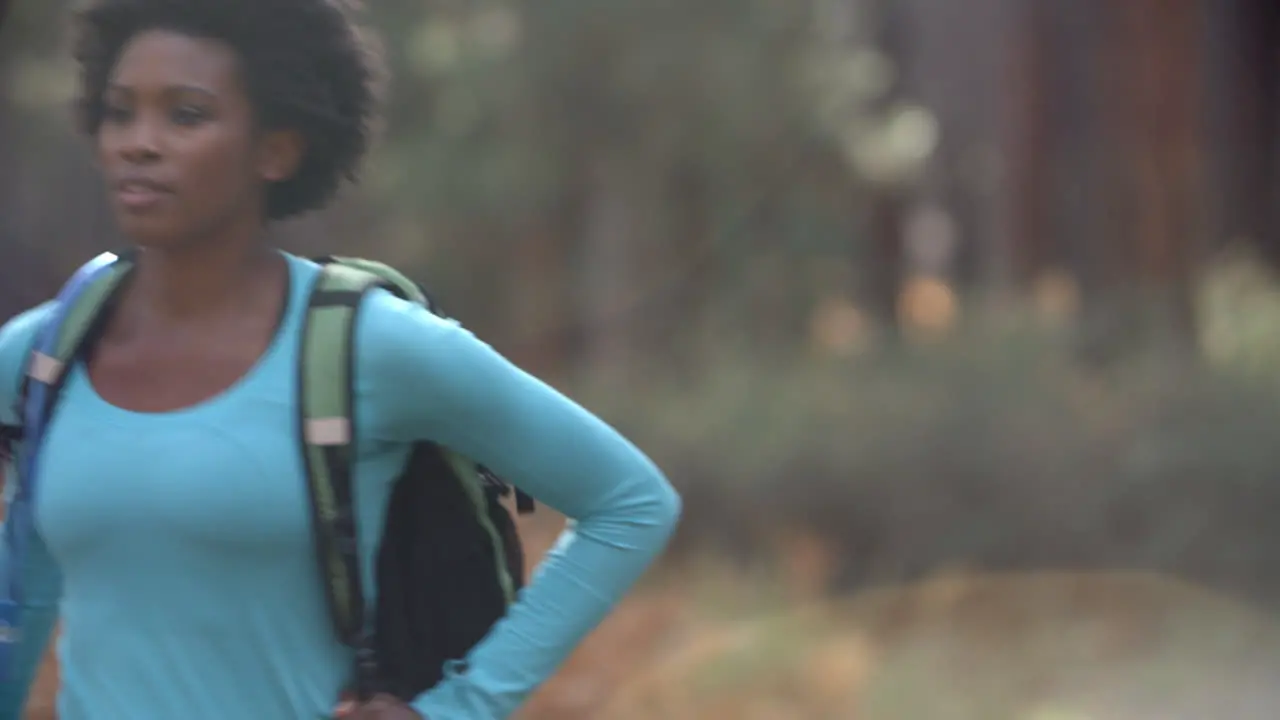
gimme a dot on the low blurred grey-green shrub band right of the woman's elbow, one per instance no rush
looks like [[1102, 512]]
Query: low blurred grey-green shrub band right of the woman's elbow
[[991, 450]]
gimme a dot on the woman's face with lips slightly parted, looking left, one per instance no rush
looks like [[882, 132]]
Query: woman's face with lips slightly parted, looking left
[[179, 143]]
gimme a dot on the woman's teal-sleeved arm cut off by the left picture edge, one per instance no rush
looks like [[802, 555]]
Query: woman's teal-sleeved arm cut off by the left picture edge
[[42, 578]]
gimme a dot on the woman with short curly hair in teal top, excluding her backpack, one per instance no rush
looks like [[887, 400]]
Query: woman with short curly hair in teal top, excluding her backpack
[[172, 509]]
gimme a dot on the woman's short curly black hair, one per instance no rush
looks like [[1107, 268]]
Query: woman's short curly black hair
[[307, 66]]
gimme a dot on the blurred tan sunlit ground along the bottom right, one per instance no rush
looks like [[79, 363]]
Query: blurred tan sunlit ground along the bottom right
[[703, 645]]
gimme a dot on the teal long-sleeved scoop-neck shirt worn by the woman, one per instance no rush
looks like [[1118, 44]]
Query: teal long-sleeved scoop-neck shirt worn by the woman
[[176, 548]]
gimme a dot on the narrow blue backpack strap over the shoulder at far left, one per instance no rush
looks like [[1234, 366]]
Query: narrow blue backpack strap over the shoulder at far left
[[20, 517]]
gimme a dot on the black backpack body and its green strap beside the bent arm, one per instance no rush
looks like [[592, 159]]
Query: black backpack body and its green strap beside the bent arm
[[451, 560]]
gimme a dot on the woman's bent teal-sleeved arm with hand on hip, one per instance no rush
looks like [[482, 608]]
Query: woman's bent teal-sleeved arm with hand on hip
[[433, 380]]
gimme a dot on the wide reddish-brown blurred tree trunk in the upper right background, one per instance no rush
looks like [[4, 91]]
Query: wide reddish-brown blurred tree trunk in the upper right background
[[1107, 172]]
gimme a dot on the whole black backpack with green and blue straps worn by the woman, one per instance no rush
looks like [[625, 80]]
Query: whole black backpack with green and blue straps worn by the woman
[[450, 562]]
